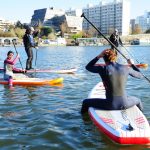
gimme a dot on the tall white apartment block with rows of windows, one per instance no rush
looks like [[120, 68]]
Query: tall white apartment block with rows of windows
[[109, 15]]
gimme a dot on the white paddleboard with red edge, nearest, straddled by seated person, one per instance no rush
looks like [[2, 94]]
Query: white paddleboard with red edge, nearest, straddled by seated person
[[128, 126]]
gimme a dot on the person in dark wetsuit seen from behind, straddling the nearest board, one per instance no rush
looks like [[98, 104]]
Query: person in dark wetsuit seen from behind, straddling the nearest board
[[114, 77]]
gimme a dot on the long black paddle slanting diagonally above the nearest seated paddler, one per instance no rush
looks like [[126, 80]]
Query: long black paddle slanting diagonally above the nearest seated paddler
[[113, 45]]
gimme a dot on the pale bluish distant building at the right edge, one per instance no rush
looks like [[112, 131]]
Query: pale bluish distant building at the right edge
[[143, 21]]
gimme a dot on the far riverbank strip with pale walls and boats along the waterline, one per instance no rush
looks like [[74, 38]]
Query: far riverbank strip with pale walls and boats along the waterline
[[144, 40]]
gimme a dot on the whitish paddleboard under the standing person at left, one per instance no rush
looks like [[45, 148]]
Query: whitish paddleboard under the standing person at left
[[62, 71]]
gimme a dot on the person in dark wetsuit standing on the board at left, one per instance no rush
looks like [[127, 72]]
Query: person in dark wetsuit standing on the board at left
[[29, 43]]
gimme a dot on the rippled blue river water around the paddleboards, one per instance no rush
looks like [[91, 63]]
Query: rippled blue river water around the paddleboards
[[49, 117]]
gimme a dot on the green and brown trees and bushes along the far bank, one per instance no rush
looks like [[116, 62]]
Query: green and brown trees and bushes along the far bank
[[18, 30]]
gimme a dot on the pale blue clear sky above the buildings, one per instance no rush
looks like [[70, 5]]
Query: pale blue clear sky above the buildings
[[23, 9]]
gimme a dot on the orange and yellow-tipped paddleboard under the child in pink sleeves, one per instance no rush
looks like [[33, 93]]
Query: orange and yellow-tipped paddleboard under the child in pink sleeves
[[34, 81]]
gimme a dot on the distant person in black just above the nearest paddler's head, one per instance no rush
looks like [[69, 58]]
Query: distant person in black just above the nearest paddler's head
[[115, 39]]
